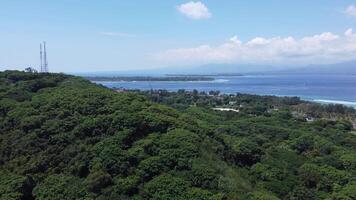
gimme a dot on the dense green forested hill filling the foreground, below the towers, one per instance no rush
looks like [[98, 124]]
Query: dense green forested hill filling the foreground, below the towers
[[62, 137]]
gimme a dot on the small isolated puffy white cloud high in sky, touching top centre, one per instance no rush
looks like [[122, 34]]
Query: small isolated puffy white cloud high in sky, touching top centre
[[194, 10]]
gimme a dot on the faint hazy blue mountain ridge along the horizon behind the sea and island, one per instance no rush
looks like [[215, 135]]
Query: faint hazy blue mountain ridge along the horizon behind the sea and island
[[348, 67]]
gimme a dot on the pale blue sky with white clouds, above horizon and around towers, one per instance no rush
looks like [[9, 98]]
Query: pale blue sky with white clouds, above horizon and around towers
[[119, 35]]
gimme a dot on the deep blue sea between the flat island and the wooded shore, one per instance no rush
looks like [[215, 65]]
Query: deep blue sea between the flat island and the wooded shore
[[320, 88]]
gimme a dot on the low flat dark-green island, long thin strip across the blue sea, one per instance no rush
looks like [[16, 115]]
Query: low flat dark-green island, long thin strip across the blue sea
[[149, 78]]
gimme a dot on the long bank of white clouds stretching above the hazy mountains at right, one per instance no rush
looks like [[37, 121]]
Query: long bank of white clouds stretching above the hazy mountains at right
[[322, 48]]
